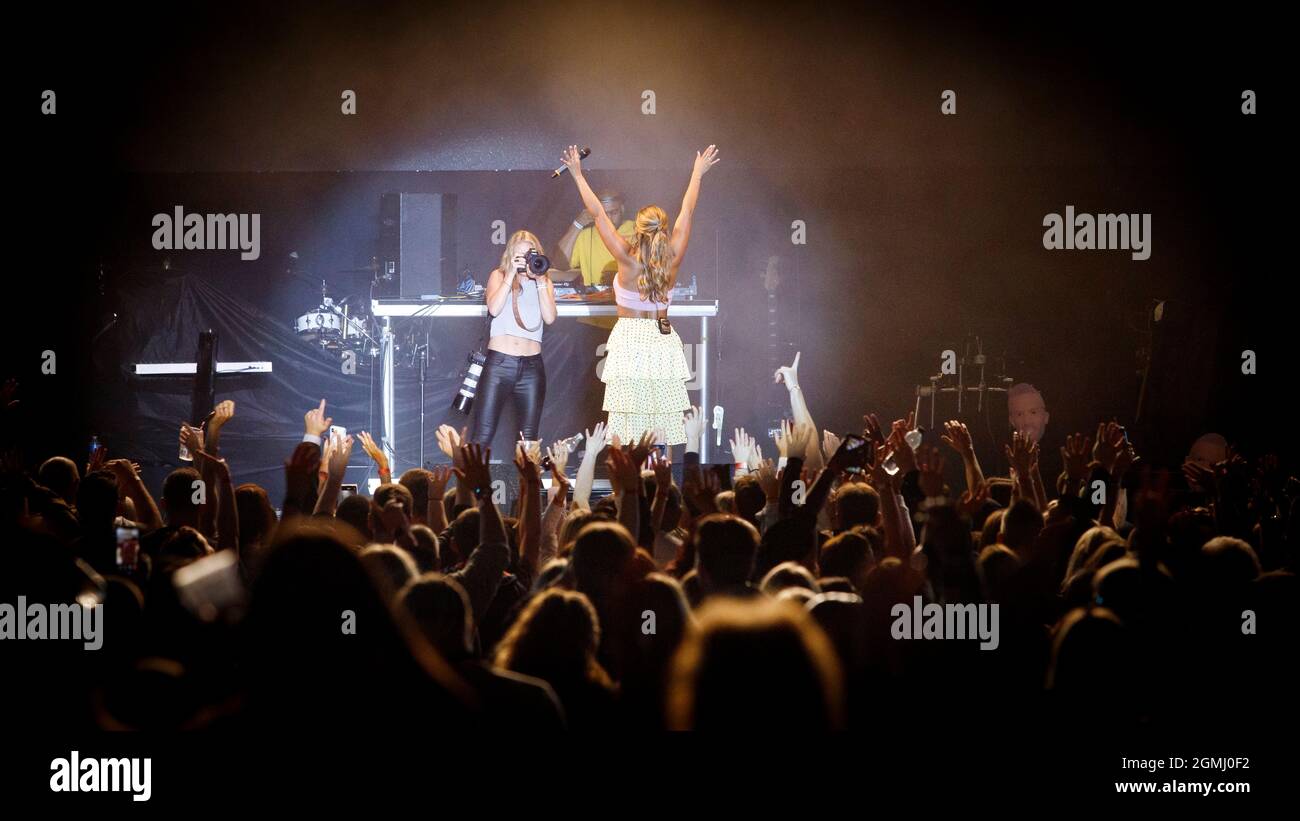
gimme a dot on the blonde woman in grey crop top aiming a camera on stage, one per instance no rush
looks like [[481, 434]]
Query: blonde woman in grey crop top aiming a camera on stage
[[519, 305]]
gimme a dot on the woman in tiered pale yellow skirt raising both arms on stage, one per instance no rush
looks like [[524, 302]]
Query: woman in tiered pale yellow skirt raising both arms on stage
[[645, 370]]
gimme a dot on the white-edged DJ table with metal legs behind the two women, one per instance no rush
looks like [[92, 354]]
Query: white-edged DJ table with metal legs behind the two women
[[391, 310]]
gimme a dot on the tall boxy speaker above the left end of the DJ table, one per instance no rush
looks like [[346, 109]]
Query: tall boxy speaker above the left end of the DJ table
[[418, 245]]
